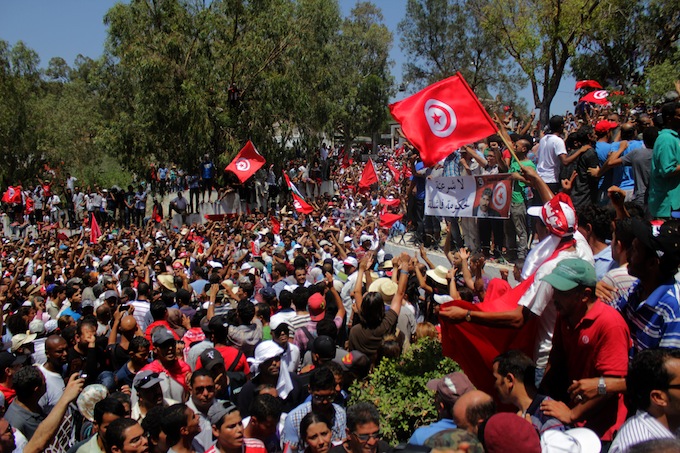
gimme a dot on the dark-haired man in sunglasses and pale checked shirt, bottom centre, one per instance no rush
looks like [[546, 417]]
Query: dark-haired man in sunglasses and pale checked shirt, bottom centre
[[322, 389]]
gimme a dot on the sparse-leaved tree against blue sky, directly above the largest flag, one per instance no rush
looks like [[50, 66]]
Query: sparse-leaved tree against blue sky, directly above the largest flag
[[441, 37]]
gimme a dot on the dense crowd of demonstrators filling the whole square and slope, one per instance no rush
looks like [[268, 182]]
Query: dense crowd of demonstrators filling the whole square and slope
[[246, 332]]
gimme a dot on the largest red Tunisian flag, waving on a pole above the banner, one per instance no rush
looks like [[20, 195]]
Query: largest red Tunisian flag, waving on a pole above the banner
[[442, 117]]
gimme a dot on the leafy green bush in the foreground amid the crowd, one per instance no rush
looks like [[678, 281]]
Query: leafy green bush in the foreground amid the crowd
[[397, 388]]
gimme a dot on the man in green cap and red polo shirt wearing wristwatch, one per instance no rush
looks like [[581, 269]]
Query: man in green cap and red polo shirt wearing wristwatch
[[591, 340]]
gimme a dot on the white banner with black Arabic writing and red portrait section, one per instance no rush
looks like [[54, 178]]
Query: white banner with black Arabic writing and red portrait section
[[469, 196]]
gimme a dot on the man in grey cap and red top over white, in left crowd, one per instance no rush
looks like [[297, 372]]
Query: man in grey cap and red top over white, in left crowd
[[171, 369]]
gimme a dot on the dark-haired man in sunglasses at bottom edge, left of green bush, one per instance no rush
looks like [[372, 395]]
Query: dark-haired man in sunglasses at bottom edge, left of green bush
[[363, 431]]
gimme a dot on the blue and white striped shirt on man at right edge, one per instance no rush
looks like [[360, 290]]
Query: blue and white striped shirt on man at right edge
[[654, 322]]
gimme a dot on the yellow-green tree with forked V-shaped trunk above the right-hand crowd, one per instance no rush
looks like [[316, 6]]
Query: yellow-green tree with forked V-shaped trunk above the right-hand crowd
[[541, 36]]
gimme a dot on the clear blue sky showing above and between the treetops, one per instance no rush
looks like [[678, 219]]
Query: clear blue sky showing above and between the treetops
[[66, 28]]
